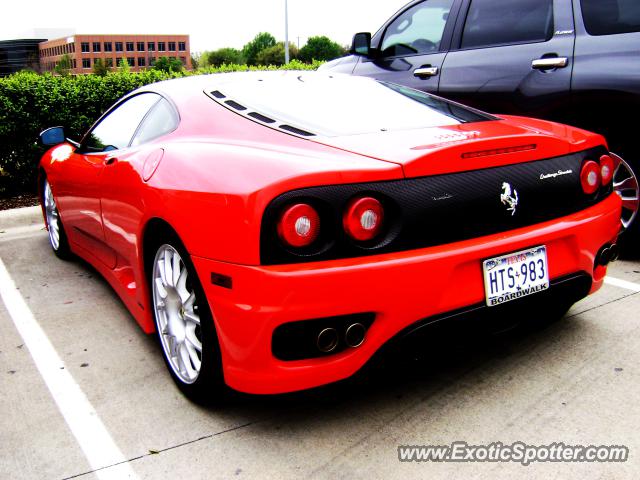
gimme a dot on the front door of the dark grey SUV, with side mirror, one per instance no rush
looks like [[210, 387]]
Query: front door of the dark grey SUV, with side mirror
[[410, 48]]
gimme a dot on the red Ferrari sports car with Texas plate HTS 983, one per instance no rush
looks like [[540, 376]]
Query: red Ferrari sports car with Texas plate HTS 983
[[277, 229]]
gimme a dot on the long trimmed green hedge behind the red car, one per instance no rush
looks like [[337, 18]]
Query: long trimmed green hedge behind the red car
[[30, 102]]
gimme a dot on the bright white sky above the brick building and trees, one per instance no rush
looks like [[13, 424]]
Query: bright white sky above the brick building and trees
[[211, 24]]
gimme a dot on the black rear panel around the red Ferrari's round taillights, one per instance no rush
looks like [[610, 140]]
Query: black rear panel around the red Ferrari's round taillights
[[428, 211]]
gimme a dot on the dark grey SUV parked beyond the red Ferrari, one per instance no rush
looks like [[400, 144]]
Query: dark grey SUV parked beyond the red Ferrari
[[571, 61]]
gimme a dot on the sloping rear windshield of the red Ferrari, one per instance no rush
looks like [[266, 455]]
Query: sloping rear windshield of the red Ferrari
[[338, 105]]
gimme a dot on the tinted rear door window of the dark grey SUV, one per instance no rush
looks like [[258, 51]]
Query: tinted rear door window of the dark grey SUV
[[504, 22]]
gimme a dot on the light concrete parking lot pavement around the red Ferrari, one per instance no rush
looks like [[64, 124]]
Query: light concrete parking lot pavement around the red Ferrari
[[574, 381]]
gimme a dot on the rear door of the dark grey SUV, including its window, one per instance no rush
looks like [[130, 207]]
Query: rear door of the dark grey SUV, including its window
[[512, 56]]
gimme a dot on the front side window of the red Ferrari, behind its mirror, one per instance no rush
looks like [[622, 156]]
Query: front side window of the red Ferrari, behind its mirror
[[116, 129]]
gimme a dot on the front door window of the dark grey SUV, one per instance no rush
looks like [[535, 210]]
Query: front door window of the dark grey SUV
[[418, 30]]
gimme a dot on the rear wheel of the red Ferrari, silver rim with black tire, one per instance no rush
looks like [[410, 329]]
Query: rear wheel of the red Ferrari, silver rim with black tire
[[183, 322]]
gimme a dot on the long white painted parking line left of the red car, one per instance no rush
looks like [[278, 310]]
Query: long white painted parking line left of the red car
[[82, 419]]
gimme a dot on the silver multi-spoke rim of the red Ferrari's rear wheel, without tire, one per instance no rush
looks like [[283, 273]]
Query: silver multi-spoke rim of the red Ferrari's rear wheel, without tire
[[176, 312]]
